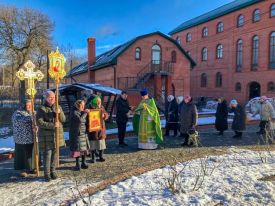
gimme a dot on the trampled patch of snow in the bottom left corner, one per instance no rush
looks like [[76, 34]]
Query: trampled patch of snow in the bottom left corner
[[38, 192]]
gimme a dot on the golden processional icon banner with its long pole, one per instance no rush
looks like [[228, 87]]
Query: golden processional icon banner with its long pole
[[57, 72]]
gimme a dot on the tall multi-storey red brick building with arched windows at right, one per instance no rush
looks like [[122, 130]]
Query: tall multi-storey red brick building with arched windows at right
[[234, 48]]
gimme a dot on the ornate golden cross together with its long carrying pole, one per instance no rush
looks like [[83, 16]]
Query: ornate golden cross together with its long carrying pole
[[31, 76]]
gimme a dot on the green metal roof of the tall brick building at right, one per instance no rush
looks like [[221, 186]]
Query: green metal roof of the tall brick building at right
[[221, 11]]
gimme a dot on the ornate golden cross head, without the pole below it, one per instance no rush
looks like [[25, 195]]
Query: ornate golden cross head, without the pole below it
[[30, 76]]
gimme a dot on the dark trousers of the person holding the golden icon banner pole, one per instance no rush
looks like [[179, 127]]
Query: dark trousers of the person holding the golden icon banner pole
[[49, 161]]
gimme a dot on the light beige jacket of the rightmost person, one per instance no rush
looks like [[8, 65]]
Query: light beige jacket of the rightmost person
[[266, 111]]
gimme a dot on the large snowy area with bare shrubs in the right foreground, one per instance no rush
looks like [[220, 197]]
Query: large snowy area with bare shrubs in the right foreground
[[234, 181]]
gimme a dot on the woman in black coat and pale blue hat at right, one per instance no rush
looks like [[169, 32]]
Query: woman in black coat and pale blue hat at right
[[238, 124]]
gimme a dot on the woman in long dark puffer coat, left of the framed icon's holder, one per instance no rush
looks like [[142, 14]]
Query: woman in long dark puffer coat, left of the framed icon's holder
[[79, 144]]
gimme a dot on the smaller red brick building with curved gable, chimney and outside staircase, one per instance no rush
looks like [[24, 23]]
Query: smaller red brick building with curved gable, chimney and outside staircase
[[154, 61]]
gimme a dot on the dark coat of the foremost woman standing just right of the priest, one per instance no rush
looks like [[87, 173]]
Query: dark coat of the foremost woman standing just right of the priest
[[188, 117]]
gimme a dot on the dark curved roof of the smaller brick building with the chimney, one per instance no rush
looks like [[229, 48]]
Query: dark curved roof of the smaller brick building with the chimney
[[110, 57]]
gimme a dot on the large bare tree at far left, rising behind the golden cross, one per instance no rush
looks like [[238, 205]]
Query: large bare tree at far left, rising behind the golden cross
[[24, 34]]
